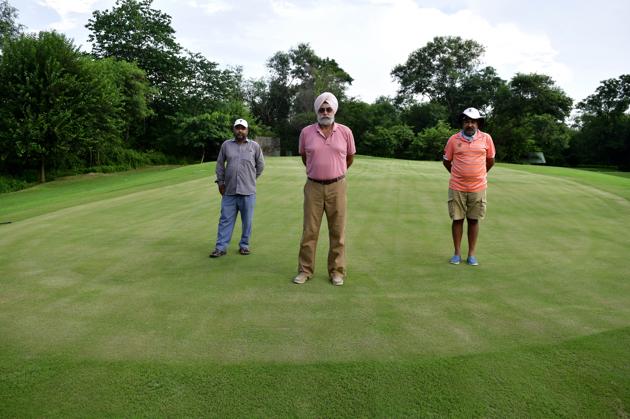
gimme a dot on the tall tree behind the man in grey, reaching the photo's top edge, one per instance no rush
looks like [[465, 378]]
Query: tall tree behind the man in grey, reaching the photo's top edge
[[185, 84]]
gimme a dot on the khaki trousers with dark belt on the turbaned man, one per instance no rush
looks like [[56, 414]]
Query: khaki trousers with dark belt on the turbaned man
[[320, 199]]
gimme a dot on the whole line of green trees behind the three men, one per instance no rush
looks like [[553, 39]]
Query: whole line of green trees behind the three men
[[138, 97]]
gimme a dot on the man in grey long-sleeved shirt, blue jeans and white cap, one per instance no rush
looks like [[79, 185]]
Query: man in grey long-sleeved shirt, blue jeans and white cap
[[239, 164]]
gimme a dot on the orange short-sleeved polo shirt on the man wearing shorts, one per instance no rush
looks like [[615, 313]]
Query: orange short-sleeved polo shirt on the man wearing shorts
[[468, 161]]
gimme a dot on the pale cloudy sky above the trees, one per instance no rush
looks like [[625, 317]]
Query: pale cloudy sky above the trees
[[578, 43]]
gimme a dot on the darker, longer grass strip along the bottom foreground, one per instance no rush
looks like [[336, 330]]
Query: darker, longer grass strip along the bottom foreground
[[585, 377]]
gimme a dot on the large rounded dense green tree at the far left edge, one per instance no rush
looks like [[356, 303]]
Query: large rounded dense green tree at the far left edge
[[56, 102]]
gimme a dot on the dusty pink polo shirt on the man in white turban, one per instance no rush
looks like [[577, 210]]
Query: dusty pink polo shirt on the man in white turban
[[326, 157]]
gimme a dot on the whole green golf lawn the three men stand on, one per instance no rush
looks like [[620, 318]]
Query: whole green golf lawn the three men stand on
[[109, 305]]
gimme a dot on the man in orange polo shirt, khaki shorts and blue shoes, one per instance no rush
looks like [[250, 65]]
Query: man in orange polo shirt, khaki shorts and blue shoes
[[468, 156]]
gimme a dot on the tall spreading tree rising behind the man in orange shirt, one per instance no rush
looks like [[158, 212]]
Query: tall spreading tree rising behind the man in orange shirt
[[446, 71]]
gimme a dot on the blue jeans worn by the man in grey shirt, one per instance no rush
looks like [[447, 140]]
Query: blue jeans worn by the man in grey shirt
[[230, 206]]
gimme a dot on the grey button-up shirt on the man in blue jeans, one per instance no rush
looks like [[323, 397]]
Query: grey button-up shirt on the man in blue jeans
[[238, 166]]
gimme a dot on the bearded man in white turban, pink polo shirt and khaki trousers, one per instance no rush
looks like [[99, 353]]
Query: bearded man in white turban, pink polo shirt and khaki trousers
[[327, 149]]
